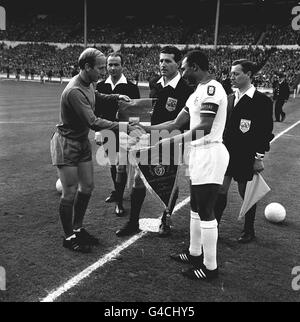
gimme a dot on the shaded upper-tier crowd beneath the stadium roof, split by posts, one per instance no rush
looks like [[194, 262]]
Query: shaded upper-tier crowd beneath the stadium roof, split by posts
[[43, 28]]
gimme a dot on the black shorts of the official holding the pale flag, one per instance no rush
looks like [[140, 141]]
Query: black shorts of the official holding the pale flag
[[240, 167]]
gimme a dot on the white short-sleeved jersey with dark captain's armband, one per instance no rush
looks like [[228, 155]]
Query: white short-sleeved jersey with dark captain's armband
[[208, 98]]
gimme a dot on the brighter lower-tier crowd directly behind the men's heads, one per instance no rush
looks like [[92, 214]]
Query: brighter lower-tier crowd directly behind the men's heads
[[141, 62]]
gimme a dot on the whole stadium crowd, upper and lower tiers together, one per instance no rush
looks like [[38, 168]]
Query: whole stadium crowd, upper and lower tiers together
[[141, 61]]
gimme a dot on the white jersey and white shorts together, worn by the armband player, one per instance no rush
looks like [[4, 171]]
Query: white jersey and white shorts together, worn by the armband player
[[208, 159]]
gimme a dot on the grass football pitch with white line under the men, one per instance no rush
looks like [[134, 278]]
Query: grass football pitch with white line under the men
[[135, 269]]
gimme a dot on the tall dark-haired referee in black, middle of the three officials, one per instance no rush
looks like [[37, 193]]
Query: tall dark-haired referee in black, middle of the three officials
[[171, 92]]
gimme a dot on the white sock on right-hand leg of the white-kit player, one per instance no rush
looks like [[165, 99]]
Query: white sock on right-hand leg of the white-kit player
[[209, 238]]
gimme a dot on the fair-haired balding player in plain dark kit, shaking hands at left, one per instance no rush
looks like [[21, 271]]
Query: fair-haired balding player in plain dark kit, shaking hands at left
[[71, 150]]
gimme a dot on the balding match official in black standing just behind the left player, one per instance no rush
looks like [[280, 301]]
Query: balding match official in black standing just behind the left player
[[116, 83]]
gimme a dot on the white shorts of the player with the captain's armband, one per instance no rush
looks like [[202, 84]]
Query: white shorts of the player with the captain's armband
[[208, 163]]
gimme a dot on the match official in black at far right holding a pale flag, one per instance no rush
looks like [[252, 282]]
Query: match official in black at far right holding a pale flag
[[247, 137]]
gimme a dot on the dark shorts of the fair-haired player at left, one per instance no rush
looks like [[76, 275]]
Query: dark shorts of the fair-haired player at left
[[68, 152]]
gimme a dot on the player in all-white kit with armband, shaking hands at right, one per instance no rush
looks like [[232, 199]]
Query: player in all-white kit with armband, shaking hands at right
[[206, 111]]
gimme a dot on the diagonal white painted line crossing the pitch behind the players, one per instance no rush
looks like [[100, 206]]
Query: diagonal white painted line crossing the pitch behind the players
[[53, 295]]
